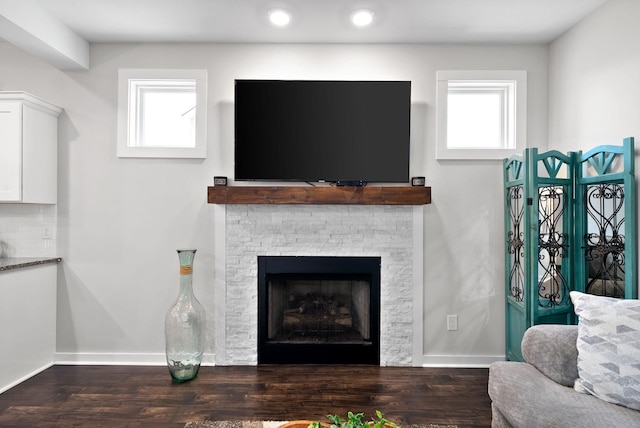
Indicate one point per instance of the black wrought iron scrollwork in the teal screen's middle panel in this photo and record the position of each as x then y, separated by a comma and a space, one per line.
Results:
553, 247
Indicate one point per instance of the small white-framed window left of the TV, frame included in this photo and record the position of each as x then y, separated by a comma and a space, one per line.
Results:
162, 113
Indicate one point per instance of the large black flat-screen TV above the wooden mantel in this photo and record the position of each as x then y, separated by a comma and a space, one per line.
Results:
318, 131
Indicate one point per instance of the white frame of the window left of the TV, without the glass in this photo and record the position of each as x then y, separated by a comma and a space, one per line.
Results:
130, 83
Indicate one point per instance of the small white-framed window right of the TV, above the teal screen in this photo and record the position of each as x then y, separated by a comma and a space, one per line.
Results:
481, 114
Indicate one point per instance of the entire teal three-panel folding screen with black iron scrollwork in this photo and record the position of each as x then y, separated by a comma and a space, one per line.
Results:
569, 225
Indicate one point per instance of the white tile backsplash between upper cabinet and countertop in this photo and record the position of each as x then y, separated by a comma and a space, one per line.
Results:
28, 230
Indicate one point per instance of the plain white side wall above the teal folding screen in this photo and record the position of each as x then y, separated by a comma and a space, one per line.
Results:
594, 80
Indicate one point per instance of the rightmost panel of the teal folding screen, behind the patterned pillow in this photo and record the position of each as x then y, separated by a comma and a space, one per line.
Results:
606, 203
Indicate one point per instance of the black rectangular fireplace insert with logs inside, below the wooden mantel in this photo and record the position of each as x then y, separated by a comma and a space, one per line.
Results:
317, 309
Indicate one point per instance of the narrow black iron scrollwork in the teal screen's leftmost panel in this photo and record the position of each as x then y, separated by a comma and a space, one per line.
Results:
515, 241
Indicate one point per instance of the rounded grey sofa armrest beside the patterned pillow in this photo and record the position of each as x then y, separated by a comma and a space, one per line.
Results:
551, 349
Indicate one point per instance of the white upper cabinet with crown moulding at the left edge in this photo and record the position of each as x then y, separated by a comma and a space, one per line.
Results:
28, 149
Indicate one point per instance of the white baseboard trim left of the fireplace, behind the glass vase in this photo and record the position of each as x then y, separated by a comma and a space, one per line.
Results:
122, 359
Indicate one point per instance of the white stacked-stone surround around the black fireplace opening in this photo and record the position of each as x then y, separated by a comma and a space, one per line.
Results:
394, 233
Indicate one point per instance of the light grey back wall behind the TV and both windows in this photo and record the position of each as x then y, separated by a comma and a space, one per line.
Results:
120, 220
